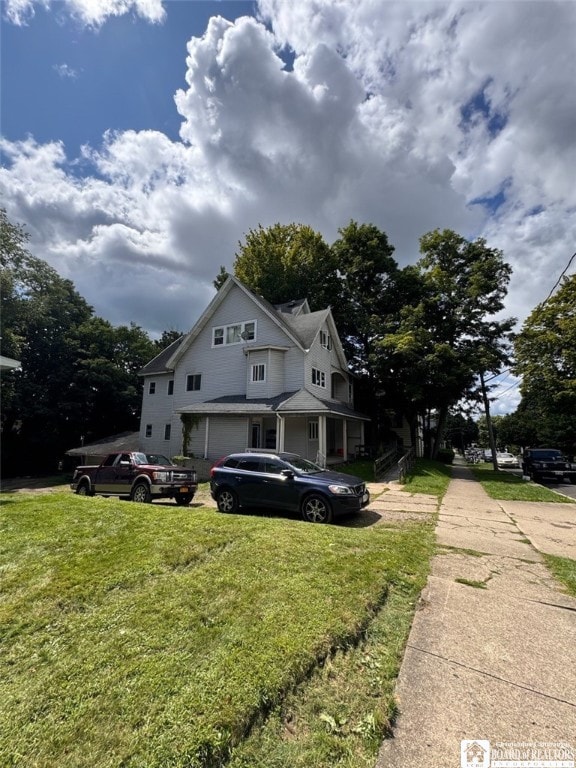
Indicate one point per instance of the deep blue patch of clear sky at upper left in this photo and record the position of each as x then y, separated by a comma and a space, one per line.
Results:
64, 81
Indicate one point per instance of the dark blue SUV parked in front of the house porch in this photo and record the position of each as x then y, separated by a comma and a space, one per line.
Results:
285, 481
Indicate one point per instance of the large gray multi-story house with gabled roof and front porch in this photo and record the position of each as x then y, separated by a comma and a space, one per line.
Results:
252, 375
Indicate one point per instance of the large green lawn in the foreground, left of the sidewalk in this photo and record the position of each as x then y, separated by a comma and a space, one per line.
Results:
155, 636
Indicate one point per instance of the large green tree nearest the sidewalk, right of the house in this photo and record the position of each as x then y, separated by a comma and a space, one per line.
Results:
449, 336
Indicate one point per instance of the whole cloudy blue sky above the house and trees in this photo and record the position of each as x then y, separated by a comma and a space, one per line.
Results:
141, 140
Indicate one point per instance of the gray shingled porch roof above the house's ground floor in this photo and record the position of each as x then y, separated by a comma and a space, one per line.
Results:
296, 403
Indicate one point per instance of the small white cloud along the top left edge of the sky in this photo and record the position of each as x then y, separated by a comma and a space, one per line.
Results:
92, 13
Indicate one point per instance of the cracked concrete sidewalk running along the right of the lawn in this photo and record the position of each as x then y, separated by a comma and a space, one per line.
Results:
492, 651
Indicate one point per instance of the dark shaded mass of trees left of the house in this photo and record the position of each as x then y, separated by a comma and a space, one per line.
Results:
78, 374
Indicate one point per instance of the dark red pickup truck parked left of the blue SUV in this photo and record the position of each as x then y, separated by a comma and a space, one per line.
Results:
139, 476
